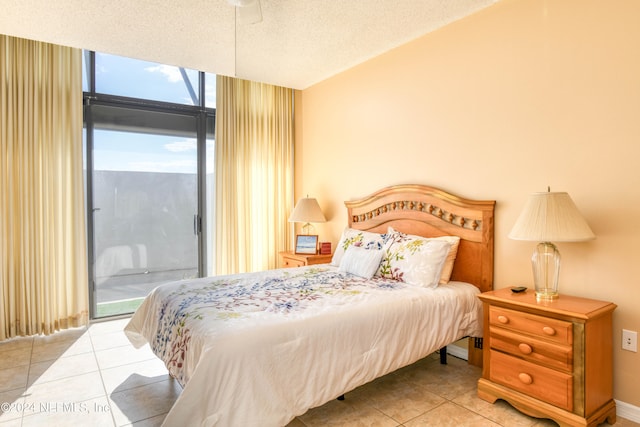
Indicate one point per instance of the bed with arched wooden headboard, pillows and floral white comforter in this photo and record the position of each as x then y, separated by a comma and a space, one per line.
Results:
259, 349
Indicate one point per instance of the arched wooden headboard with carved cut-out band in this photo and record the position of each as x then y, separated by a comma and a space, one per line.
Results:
430, 212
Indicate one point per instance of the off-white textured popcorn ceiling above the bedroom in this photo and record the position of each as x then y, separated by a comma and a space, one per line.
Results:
297, 44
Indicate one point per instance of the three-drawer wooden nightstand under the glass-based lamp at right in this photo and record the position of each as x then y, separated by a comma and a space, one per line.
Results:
549, 359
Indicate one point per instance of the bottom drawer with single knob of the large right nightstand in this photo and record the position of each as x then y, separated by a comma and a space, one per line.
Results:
545, 384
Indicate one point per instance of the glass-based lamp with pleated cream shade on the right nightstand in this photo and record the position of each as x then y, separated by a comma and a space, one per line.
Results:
549, 217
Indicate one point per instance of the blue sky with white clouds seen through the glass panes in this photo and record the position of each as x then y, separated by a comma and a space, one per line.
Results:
123, 151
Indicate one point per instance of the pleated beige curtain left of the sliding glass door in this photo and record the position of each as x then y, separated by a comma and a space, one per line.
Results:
43, 274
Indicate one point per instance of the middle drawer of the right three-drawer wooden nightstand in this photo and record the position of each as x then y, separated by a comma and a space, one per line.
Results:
550, 354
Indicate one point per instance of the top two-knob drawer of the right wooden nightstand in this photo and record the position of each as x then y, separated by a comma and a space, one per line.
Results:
543, 327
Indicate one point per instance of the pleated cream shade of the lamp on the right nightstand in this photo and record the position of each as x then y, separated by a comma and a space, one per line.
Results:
551, 217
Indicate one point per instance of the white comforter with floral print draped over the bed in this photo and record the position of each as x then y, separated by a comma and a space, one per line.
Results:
260, 349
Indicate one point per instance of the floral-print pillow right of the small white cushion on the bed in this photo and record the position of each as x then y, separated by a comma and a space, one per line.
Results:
414, 260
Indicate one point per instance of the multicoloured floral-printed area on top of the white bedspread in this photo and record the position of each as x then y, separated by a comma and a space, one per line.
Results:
232, 299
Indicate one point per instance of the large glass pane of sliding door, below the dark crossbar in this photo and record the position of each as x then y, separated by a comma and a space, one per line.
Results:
145, 222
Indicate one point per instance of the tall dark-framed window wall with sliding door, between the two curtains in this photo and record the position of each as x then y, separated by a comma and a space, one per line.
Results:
149, 138
